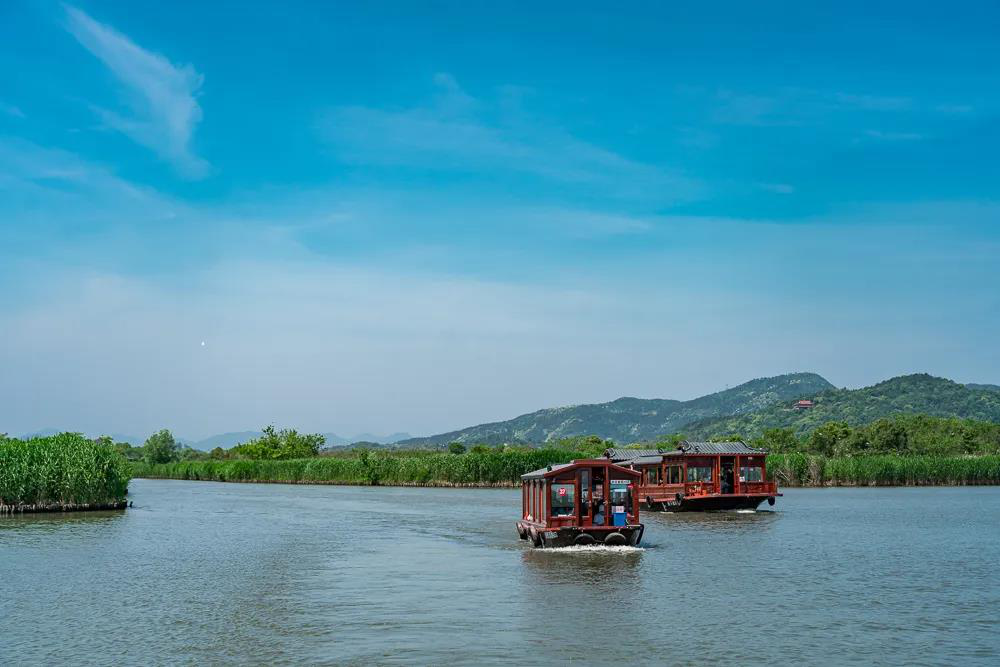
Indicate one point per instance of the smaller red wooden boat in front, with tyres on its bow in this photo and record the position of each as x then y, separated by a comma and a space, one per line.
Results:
591, 501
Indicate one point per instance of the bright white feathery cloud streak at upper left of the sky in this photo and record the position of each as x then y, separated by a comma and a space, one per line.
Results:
161, 95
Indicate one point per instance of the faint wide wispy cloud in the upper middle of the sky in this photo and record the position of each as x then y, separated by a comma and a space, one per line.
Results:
459, 132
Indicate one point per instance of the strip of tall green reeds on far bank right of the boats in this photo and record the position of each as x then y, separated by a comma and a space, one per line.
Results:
882, 470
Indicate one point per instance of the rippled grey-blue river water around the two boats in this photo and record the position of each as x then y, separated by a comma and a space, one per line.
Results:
207, 573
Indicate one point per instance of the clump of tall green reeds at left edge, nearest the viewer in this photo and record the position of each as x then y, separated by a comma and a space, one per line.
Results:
65, 469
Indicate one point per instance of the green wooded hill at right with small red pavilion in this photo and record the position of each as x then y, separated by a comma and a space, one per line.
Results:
907, 394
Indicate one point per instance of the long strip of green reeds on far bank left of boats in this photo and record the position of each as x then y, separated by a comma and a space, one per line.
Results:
493, 468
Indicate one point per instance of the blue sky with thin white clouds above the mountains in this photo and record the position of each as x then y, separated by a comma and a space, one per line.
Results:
388, 216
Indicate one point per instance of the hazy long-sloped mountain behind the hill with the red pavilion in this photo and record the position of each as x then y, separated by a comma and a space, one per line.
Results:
633, 419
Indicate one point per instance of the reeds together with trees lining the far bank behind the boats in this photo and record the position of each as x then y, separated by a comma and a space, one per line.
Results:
902, 450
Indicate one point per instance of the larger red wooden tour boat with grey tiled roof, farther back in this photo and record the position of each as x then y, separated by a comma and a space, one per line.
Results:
700, 476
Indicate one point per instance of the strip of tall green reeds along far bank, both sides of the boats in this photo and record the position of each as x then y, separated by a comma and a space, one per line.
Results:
505, 469
